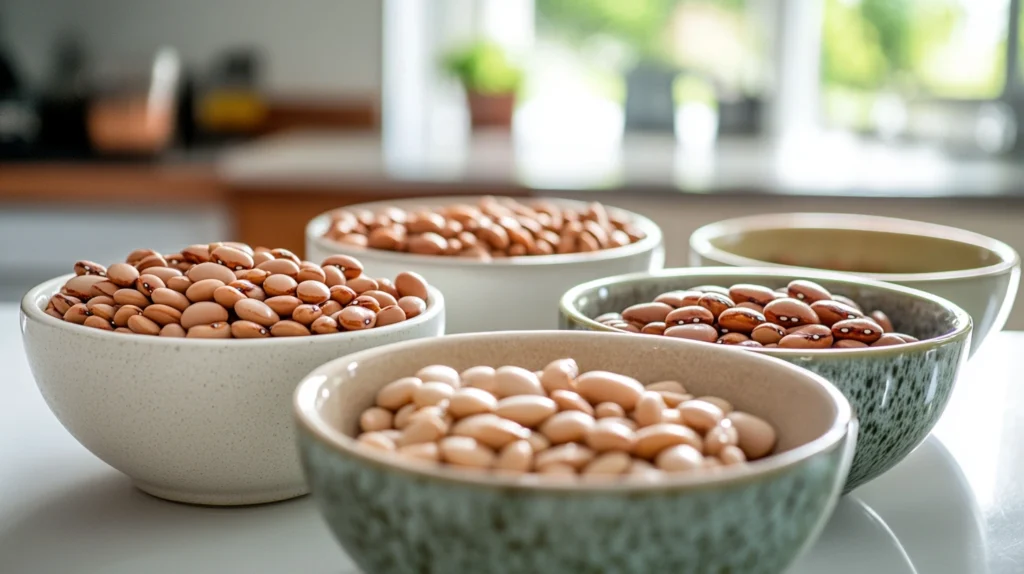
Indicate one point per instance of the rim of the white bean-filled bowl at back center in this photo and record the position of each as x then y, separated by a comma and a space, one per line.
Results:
317, 226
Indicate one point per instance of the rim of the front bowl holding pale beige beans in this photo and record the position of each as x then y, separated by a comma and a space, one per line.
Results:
310, 422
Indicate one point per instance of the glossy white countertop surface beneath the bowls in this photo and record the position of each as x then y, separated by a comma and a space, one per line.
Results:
955, 507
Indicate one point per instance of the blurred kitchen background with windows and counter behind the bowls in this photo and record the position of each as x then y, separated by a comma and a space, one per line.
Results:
148, 123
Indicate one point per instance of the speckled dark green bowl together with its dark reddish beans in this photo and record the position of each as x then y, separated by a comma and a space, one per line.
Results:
894, 351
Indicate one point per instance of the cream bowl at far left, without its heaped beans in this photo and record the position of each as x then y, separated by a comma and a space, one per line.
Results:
205, 422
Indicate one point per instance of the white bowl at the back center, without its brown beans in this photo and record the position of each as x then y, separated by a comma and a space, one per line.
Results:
517, 293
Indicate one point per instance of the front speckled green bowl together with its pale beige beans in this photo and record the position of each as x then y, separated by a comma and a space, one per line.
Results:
549, 452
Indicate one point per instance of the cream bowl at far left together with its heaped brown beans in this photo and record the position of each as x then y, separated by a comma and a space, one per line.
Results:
177, 369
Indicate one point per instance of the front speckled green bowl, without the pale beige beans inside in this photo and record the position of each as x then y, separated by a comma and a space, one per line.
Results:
403, 519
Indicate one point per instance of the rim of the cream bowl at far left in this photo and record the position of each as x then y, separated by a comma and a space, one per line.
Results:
32, 312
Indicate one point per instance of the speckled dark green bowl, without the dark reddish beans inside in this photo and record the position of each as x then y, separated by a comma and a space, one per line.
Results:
899, 393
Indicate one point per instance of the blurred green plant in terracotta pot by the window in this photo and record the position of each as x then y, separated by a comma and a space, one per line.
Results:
491, 81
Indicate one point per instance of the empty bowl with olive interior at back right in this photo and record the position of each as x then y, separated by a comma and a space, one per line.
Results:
978, 274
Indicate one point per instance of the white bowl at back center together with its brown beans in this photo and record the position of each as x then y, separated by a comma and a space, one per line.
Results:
483, 252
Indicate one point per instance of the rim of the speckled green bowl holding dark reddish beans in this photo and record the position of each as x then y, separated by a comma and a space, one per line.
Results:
962, 321
